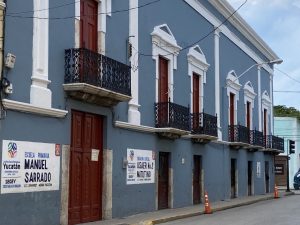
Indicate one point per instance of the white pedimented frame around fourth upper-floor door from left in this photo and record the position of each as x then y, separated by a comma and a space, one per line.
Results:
233, 86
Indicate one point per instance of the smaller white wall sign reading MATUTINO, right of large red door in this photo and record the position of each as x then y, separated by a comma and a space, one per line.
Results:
140, 167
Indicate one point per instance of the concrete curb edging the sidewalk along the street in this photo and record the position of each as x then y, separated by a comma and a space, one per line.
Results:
214, 209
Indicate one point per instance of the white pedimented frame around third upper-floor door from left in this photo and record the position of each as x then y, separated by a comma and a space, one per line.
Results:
198, 65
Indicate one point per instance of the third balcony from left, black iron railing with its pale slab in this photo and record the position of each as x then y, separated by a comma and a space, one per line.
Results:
204, 127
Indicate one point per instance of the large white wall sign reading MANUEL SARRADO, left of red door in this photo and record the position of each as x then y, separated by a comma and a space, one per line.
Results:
29, 167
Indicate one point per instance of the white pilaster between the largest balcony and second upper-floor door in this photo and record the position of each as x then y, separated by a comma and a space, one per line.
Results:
134, 115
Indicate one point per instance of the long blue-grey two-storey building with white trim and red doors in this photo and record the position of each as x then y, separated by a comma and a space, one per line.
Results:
114, 114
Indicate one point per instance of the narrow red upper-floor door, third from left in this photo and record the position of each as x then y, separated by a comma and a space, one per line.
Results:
196, 116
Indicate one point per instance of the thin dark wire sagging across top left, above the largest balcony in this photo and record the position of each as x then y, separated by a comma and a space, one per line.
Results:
71, 17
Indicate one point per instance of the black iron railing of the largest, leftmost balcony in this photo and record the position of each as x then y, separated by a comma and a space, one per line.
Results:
85, 66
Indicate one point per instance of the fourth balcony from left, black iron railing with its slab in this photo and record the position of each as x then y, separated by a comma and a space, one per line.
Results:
239, 136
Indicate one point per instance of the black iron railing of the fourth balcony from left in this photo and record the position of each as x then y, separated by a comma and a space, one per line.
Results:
238, 133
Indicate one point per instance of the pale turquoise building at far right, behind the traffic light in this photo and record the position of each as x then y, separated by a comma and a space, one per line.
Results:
289, 128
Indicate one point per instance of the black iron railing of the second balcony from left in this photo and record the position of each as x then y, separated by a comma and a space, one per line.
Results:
169, 114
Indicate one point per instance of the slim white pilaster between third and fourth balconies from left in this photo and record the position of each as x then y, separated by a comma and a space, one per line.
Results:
217, 82
